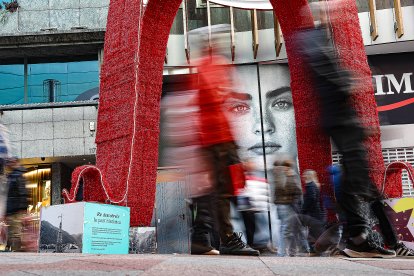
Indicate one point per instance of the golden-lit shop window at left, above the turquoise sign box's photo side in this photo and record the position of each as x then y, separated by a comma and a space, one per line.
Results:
38, 183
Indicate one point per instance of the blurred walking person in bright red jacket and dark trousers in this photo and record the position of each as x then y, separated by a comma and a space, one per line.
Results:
213, 83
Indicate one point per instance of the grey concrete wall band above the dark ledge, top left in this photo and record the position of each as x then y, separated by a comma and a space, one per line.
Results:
36, 16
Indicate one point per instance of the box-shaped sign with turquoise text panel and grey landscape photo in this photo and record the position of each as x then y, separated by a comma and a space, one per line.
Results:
84, 227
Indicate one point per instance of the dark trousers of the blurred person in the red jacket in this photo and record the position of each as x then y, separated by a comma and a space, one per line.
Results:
222, 156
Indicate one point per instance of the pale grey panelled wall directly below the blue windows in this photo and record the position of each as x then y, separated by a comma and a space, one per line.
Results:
51, 132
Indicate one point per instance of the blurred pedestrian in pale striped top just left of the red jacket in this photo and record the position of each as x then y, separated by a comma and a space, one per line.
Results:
186, 152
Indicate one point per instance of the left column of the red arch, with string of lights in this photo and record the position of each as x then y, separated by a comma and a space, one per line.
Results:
128, 117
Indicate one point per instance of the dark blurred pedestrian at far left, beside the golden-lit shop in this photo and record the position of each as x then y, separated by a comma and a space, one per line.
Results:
16, 204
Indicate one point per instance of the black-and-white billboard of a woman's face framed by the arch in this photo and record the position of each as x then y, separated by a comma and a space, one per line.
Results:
261, 113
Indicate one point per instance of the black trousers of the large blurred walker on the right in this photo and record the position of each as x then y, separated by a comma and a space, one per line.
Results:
356, 183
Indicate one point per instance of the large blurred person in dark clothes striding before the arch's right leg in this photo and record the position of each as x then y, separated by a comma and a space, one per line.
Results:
332, 85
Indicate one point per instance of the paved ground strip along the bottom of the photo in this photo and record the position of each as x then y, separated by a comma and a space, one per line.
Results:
182, 265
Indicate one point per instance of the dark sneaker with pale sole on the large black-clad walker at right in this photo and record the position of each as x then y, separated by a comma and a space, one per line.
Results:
367, 249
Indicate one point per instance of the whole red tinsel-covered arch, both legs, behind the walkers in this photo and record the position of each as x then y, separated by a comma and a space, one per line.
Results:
131, 80
